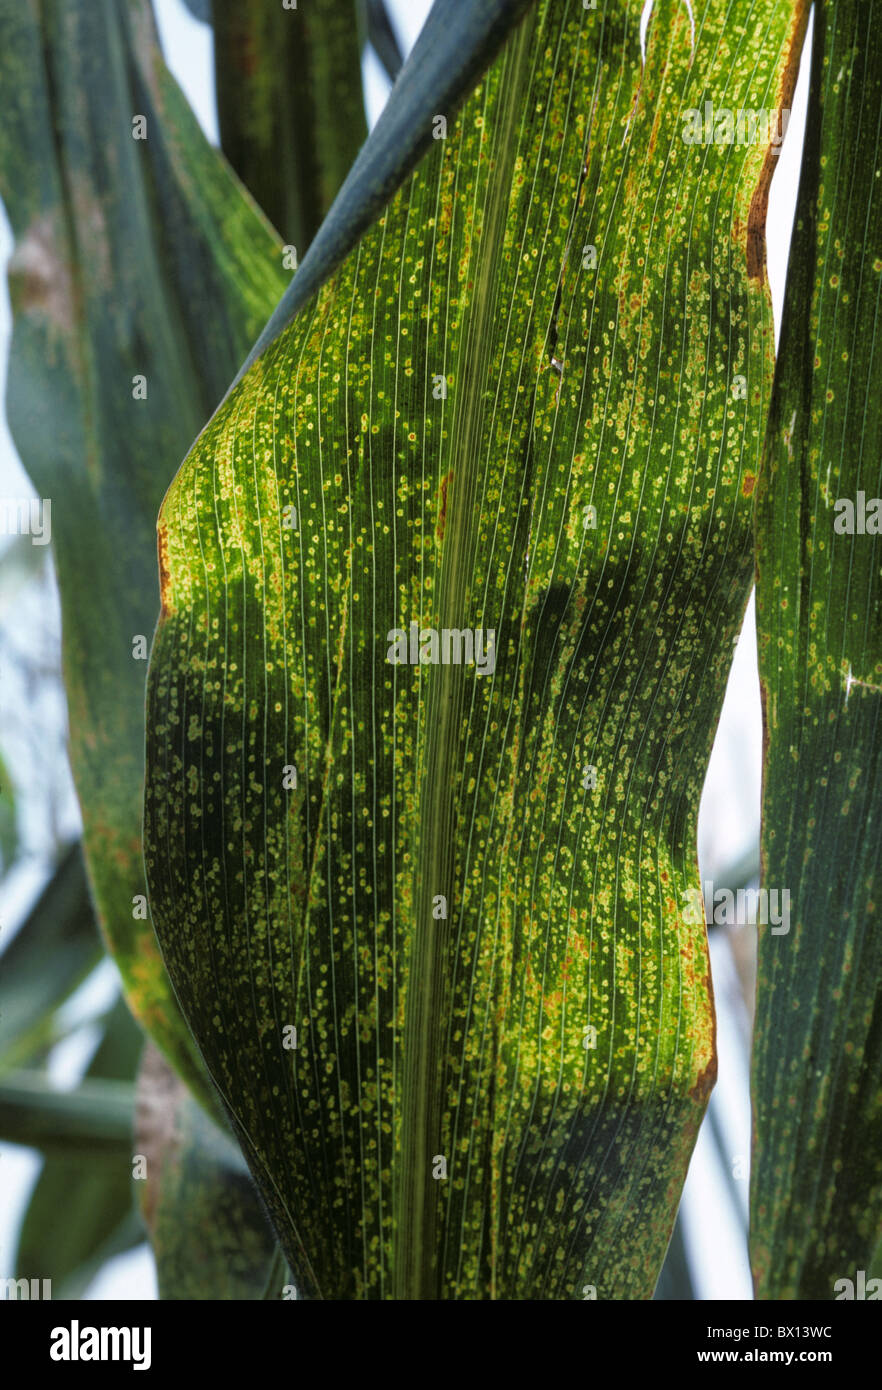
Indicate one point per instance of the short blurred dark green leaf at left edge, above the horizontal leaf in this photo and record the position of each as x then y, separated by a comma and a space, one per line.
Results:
49, 957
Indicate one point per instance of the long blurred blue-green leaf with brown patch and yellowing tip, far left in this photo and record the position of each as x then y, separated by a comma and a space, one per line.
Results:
141, 275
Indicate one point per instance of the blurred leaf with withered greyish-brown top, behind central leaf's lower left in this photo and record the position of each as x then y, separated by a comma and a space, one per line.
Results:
209, 1229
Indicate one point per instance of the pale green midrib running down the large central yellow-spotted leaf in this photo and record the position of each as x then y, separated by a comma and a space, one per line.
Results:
416, 1271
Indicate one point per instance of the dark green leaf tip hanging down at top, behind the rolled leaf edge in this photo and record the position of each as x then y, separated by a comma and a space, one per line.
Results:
290, 105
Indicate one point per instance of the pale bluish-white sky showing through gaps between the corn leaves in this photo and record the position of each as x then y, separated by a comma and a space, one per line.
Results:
729, 828
